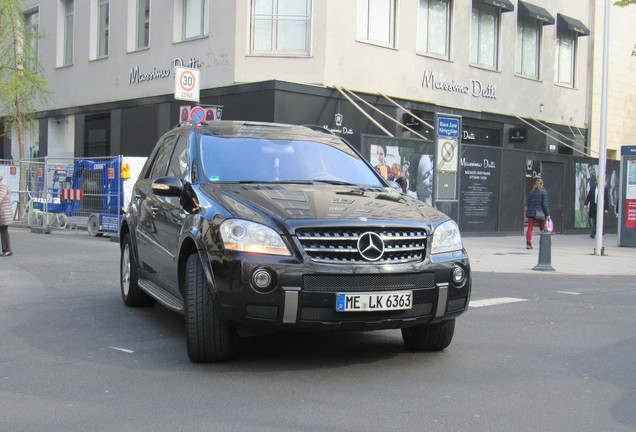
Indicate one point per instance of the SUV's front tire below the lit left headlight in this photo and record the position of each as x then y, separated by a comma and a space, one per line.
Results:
208, 338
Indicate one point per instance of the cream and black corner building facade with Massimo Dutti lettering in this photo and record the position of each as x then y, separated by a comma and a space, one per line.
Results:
514, 75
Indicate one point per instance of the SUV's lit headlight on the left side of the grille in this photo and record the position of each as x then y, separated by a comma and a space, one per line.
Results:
246, 236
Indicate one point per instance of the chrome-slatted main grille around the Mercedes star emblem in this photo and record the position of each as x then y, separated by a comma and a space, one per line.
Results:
340, 245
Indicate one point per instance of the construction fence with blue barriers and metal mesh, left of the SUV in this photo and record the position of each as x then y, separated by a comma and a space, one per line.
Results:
71, 193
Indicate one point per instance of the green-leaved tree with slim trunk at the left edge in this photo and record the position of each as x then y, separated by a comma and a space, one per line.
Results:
22, 78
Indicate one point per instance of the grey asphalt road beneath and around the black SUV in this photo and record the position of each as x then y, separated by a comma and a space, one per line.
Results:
535, 352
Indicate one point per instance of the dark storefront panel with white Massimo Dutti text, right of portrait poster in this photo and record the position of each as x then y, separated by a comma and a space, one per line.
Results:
479, 198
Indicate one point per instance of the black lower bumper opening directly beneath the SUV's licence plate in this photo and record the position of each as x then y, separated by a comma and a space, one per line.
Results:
329, 314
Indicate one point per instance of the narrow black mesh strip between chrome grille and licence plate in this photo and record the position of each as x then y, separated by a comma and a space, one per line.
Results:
368, 282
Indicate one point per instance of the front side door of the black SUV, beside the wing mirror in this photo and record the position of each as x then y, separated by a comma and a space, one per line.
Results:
168, 220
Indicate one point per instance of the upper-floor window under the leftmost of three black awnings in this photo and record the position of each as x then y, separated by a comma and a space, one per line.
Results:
484, 37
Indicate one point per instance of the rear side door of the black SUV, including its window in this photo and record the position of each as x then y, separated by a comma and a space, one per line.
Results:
147, 207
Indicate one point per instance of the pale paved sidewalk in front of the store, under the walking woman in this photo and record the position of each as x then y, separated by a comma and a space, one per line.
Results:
570, 254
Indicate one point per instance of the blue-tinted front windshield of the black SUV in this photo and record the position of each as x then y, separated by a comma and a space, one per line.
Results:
265, 160
